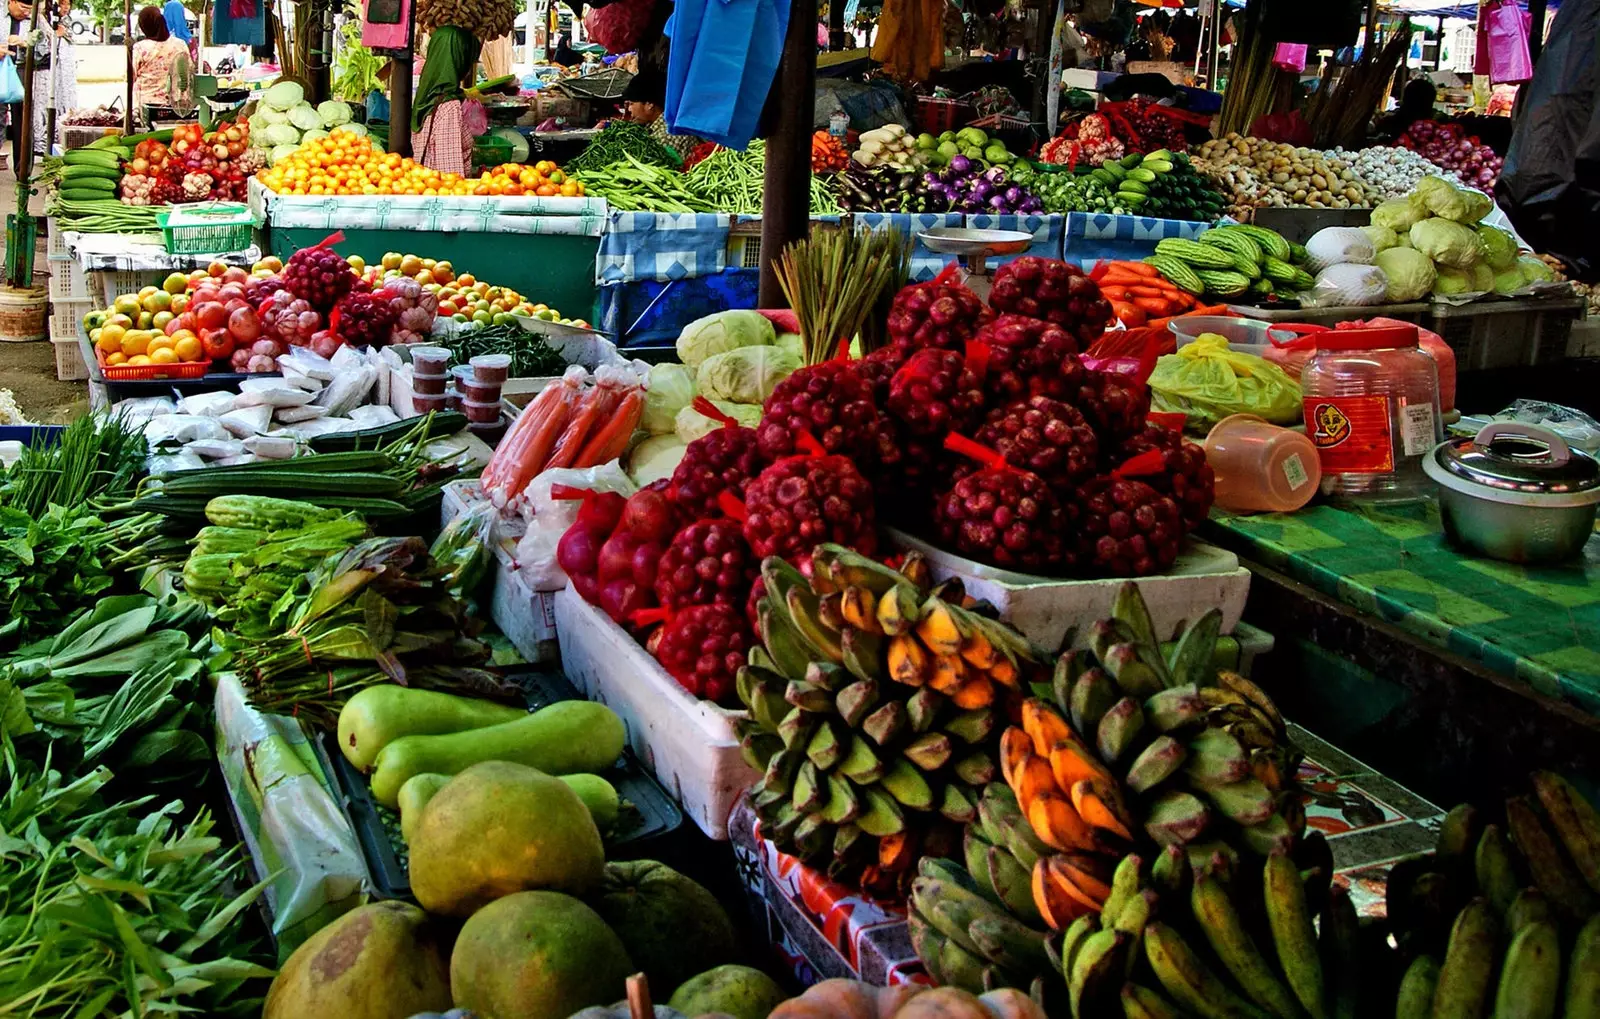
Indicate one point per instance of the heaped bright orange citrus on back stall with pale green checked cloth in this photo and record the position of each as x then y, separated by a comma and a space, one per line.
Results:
348, 164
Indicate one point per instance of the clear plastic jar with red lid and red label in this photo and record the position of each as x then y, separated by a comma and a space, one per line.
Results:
1372, 410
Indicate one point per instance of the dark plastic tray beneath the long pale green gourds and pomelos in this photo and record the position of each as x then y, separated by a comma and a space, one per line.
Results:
655, 813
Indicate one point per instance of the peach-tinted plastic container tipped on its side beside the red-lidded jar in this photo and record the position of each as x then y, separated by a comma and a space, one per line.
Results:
1260, 466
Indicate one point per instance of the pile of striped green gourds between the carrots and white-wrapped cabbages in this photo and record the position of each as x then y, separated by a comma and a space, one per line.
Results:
1236, 265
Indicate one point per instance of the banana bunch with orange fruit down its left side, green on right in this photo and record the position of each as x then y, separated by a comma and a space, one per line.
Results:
1146, 745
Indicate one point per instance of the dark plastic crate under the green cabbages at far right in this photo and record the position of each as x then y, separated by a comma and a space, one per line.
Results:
1508, 334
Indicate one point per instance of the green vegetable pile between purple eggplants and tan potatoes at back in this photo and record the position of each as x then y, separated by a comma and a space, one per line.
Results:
1161, 185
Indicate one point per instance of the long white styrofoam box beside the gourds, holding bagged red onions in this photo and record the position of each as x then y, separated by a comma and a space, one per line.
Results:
689, 745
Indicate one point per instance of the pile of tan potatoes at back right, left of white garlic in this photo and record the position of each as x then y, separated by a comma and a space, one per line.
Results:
1260, 174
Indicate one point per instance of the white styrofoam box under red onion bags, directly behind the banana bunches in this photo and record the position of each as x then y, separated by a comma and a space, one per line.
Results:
1046, 610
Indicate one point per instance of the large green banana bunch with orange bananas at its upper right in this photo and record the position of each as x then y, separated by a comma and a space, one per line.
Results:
868, 767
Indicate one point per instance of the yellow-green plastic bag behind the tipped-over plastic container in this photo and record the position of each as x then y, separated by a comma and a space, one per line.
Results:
1207, 382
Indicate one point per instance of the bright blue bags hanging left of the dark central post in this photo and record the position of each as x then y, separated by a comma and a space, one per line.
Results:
721, 66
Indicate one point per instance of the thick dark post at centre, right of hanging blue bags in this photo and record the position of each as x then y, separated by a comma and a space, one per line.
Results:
786, 199
